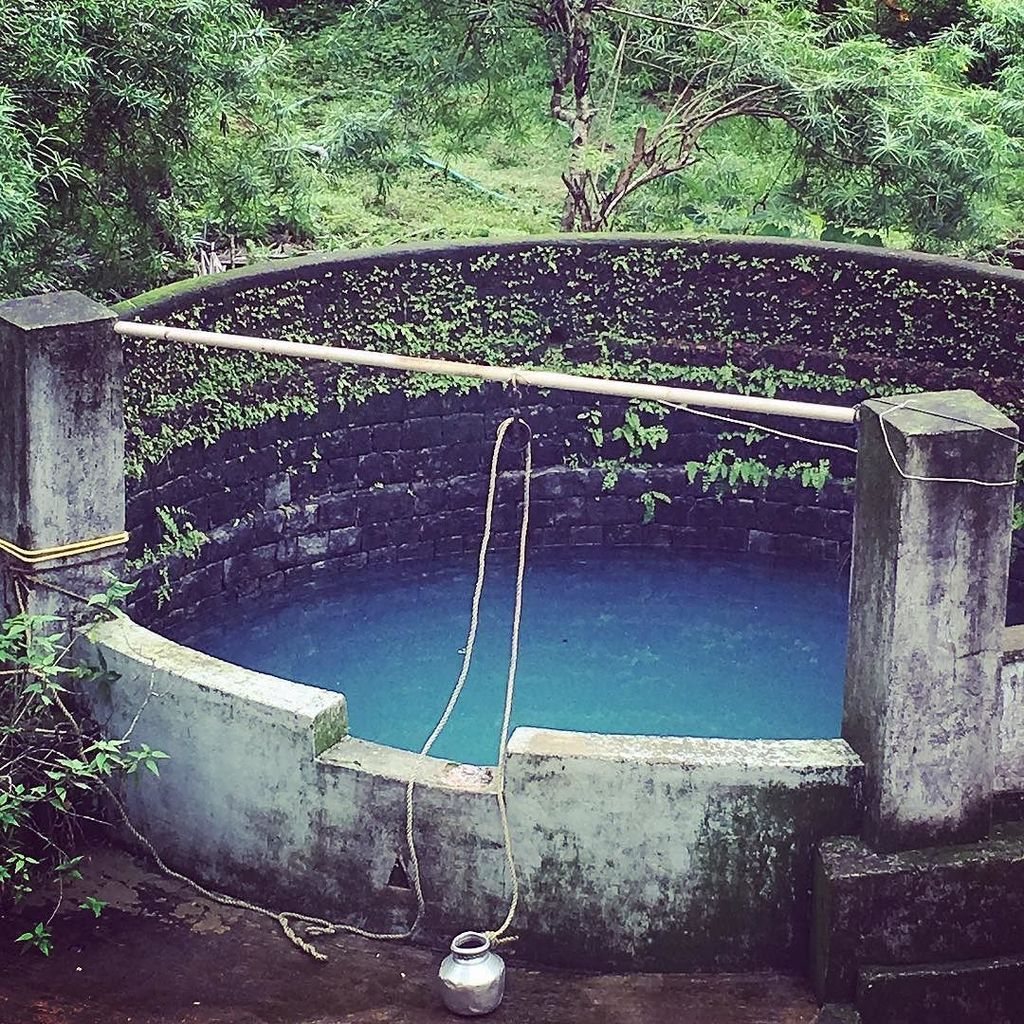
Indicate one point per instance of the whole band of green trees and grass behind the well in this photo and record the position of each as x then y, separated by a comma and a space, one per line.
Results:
133, 136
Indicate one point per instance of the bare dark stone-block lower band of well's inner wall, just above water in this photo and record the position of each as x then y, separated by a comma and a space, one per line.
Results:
406, 479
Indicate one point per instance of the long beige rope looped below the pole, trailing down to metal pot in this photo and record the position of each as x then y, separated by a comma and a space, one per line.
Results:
320, 926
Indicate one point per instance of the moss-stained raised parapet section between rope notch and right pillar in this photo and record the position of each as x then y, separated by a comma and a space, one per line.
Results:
673, 852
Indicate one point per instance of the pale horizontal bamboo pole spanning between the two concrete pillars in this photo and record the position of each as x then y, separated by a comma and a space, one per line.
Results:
505, 375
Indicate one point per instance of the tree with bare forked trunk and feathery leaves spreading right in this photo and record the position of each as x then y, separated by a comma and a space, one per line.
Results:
883, 136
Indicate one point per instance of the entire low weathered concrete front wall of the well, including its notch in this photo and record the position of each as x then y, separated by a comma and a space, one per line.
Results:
647, 854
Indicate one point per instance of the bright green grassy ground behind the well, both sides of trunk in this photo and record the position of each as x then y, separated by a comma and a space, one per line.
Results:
338, 73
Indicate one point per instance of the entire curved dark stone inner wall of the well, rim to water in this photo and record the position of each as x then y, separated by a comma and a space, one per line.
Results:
846, 313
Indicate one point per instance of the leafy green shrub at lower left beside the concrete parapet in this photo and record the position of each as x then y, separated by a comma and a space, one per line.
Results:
57, 767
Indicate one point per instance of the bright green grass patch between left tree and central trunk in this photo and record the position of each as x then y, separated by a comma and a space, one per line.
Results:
336, 76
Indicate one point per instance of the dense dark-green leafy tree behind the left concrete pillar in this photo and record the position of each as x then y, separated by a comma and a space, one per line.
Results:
114, 117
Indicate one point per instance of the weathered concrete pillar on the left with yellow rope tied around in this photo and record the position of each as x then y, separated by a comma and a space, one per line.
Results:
62, 442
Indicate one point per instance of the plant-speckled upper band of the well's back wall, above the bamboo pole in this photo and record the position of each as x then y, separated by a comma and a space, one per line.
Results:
848, 302
